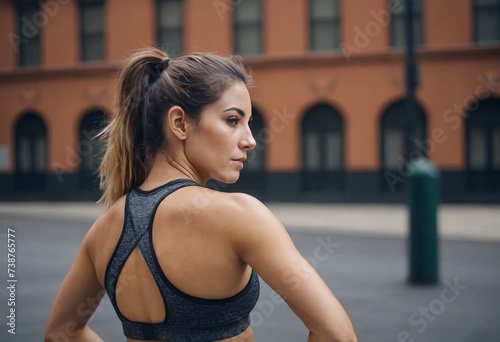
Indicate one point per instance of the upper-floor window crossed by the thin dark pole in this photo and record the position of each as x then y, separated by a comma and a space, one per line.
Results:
398, 22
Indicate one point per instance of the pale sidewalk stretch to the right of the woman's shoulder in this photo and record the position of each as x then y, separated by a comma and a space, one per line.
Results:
455, 222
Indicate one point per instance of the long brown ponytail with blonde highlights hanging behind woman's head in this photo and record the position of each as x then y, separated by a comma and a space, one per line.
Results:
126, 163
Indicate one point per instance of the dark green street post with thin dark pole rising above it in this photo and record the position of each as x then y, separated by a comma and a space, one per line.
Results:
423, 182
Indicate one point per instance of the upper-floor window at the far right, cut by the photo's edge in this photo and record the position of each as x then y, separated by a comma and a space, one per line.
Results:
487, 21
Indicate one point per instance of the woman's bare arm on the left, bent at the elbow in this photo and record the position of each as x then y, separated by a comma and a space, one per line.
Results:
78, 297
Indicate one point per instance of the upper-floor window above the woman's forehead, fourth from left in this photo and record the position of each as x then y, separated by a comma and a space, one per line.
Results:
247, 16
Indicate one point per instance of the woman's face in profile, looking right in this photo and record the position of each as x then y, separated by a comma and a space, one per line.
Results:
217, 145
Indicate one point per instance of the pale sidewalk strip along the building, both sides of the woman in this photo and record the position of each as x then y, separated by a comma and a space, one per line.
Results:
456, 222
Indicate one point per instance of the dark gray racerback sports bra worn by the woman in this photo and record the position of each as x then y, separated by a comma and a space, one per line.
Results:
188, 318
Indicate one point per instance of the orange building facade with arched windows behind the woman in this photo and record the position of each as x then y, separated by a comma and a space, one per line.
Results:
328, 101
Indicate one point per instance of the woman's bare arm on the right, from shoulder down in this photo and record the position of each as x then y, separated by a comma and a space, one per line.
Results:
264, 244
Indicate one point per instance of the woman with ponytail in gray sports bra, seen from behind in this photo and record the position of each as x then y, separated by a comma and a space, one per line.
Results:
180, 261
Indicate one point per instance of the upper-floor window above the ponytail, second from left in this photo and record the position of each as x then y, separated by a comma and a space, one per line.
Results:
92, 30
